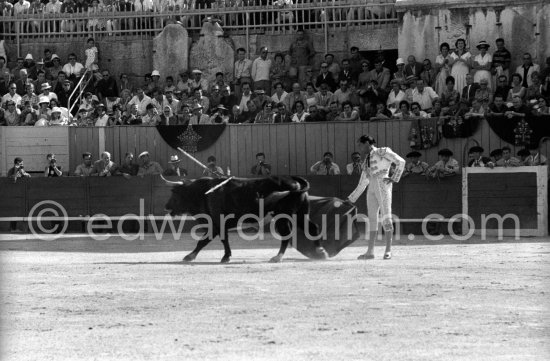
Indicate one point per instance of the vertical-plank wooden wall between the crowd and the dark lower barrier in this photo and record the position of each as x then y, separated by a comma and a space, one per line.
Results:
289, 148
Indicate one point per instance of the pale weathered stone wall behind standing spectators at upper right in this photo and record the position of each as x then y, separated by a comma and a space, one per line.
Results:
524, 28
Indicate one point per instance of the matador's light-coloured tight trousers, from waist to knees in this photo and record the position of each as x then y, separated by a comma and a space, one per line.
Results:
379, 197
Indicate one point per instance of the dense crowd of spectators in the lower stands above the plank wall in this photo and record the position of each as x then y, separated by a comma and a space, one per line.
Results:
276, 89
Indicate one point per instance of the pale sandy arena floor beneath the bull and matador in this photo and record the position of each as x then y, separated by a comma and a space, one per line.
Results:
79, 299
